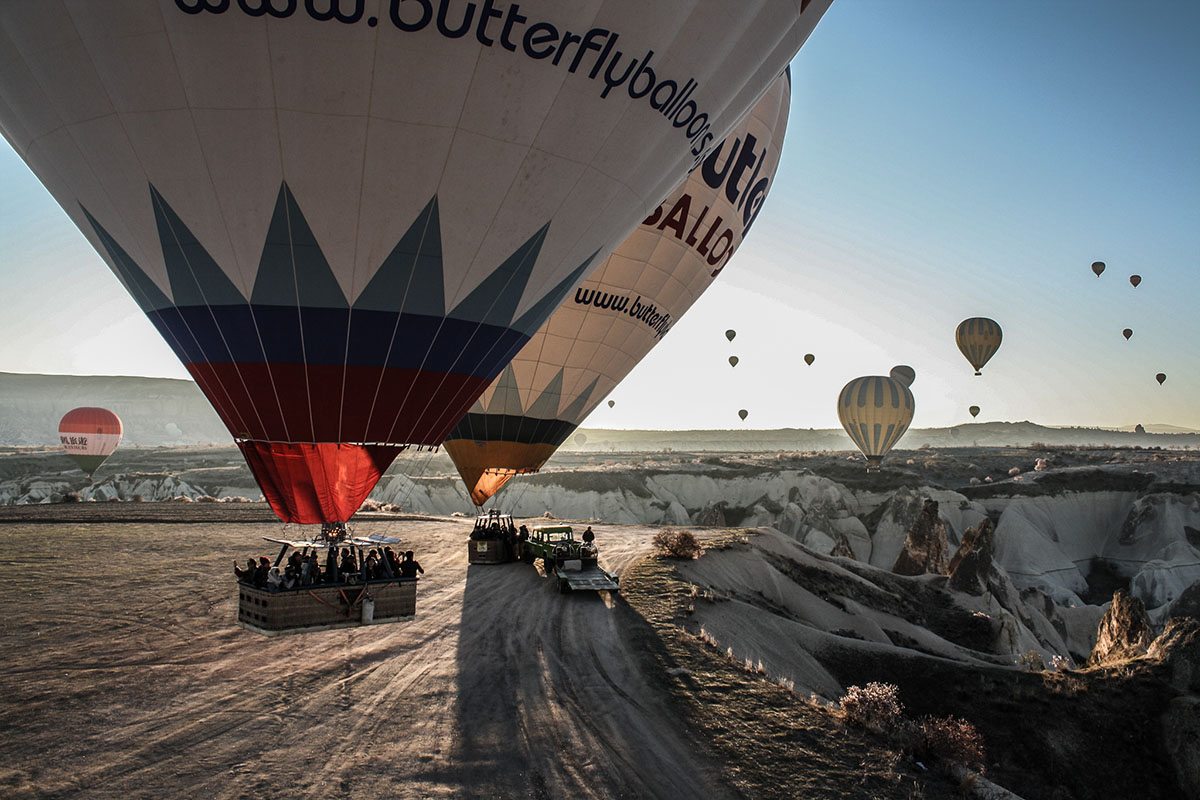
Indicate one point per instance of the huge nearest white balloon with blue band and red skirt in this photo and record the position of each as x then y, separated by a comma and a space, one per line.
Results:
346, 225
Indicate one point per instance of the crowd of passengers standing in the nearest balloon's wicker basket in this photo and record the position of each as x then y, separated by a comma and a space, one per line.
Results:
304, 569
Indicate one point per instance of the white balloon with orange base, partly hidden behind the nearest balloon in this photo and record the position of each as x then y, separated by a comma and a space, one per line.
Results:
623, 310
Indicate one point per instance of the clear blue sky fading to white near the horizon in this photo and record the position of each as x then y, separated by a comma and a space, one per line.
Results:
945, 159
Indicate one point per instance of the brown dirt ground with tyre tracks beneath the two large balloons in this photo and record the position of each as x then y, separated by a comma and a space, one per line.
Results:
125, 677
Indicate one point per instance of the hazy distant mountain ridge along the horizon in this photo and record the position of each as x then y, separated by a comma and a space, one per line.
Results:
160, 412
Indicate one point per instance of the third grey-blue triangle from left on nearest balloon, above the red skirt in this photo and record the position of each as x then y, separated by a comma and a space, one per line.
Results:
293, 270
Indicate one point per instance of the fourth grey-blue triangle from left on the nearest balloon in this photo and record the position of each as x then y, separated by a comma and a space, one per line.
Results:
412, 278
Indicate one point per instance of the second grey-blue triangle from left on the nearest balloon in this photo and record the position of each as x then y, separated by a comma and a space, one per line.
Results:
196, 280
